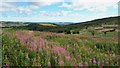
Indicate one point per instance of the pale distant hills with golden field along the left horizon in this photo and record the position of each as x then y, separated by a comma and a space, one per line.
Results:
14, 24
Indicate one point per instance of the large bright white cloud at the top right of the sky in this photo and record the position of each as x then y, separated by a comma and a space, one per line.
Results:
93, 5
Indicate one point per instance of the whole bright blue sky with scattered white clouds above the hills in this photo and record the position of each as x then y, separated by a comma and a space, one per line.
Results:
57, 10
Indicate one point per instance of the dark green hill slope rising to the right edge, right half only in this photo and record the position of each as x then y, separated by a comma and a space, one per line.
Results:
97, 22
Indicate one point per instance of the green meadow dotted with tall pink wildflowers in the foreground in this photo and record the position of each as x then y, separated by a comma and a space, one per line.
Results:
35, 48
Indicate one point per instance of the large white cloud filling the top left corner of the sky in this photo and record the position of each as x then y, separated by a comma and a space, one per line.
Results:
6, 5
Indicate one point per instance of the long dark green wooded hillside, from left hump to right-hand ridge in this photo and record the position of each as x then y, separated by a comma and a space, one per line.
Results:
76, 26
